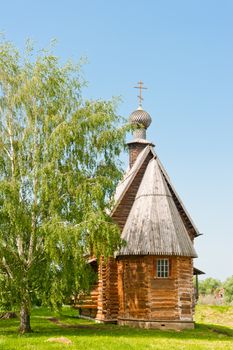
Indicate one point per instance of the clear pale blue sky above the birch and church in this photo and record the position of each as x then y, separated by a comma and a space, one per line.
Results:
183, 51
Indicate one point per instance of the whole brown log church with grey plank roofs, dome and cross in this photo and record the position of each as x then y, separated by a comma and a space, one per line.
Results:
149, 282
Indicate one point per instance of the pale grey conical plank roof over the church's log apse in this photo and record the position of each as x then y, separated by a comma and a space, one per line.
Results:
154, 225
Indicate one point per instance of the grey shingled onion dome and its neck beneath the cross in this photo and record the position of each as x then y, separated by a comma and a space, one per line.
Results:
143, 120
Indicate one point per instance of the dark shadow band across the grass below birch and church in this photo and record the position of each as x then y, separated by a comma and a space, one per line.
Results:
43, 327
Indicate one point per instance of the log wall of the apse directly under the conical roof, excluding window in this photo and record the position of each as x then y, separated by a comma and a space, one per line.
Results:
148, 299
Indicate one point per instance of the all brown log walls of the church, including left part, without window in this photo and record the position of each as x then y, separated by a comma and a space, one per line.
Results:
129, 292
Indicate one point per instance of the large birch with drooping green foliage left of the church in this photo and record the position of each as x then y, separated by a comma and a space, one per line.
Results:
58, 171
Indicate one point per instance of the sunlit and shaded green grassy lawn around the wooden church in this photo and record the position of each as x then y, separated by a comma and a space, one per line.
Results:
87, 335
